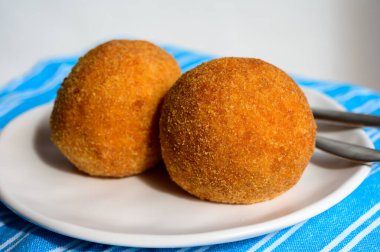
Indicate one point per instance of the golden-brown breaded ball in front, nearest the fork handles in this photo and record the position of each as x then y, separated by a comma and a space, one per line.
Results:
236, 130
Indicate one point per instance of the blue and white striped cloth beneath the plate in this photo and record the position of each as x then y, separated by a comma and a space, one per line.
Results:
358, 230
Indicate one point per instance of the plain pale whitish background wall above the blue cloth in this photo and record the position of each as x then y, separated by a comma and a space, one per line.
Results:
325, 39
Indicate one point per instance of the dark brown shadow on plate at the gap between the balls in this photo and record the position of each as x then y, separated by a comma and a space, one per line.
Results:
158, 179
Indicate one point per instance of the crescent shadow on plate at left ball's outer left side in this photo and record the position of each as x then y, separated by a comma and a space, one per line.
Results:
47, 151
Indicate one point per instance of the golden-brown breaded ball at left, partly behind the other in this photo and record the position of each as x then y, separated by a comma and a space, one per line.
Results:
105, 117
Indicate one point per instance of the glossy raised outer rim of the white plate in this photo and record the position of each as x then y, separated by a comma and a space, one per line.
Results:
191, 239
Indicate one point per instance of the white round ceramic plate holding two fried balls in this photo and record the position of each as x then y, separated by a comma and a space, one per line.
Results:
149, 210
